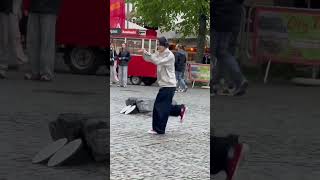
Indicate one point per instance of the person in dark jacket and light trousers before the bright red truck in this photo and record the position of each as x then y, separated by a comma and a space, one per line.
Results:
124, 58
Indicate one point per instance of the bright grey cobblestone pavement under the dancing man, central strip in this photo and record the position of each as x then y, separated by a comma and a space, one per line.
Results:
183, 153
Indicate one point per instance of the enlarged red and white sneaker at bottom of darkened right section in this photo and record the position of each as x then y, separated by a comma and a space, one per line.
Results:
237, 156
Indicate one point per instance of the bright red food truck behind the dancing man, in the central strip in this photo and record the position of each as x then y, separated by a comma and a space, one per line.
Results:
138, 69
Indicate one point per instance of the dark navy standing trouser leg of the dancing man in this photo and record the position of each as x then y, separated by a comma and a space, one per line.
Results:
162, 109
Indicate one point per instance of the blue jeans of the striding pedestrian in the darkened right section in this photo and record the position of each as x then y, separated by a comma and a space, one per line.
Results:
226, 61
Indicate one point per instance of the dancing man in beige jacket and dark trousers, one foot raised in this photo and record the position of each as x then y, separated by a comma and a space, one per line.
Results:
163, 108
